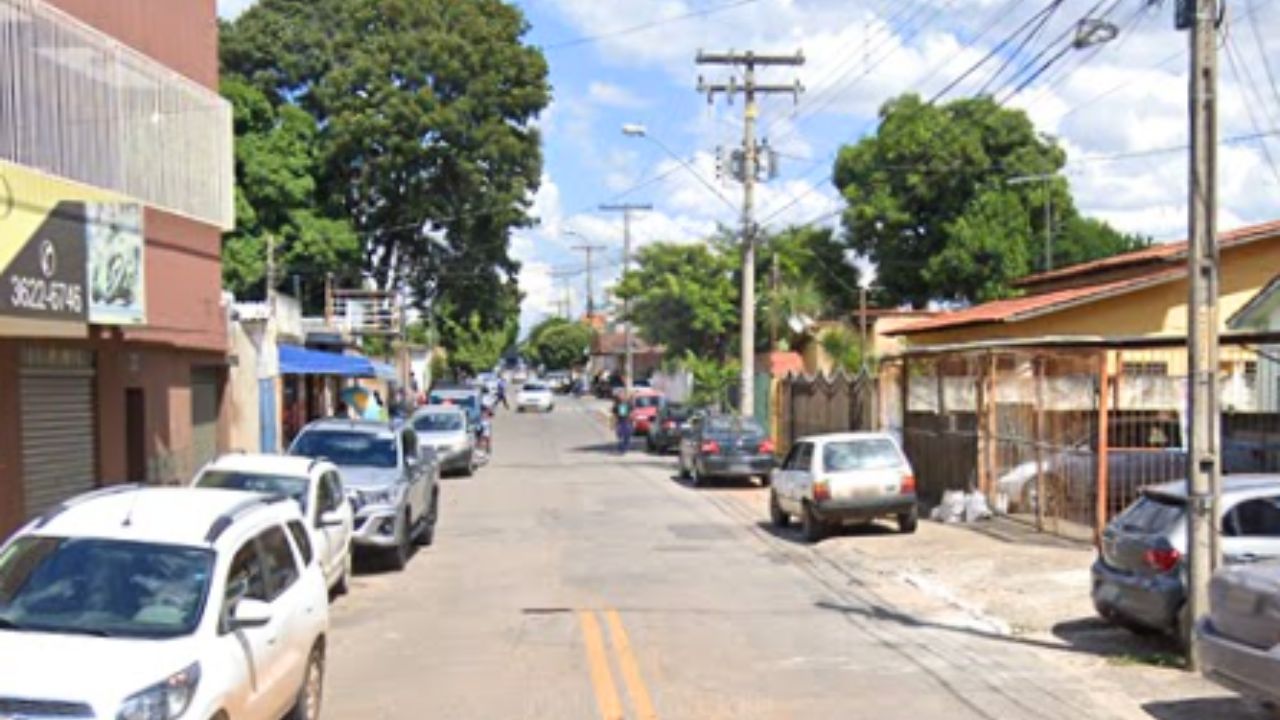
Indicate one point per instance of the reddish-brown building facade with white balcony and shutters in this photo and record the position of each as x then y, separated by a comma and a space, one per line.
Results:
116, 186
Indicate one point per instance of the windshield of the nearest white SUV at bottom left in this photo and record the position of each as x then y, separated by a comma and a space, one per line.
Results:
103, 589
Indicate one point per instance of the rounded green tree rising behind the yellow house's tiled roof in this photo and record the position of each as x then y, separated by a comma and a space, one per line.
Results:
930, 202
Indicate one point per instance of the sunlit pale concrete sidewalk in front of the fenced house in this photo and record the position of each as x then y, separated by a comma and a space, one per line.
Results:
1003, 578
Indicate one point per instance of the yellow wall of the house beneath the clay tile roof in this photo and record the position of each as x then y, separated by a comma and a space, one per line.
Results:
1160, 311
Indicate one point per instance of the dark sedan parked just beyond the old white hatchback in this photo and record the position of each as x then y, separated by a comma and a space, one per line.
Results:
725, 446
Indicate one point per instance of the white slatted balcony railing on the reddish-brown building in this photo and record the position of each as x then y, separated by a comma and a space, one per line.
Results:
77, 104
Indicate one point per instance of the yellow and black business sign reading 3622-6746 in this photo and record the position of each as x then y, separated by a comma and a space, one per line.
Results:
68, 252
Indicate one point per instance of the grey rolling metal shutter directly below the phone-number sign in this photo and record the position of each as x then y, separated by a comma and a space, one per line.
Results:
60, 455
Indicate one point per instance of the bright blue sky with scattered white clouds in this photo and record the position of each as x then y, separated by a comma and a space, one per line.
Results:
1119, 110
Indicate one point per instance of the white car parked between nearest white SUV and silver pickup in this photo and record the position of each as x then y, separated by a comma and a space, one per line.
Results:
316, 485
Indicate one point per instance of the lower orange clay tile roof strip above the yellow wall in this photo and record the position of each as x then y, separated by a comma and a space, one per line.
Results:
1021, 308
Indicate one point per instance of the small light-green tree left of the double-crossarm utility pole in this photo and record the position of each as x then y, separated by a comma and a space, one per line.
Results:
684, 298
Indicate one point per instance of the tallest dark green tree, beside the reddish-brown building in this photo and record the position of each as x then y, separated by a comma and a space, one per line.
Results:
424, 134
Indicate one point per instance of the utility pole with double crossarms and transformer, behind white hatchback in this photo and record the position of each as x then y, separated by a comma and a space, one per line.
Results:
749, 89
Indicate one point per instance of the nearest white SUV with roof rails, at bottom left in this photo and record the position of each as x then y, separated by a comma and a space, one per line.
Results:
157, 604
